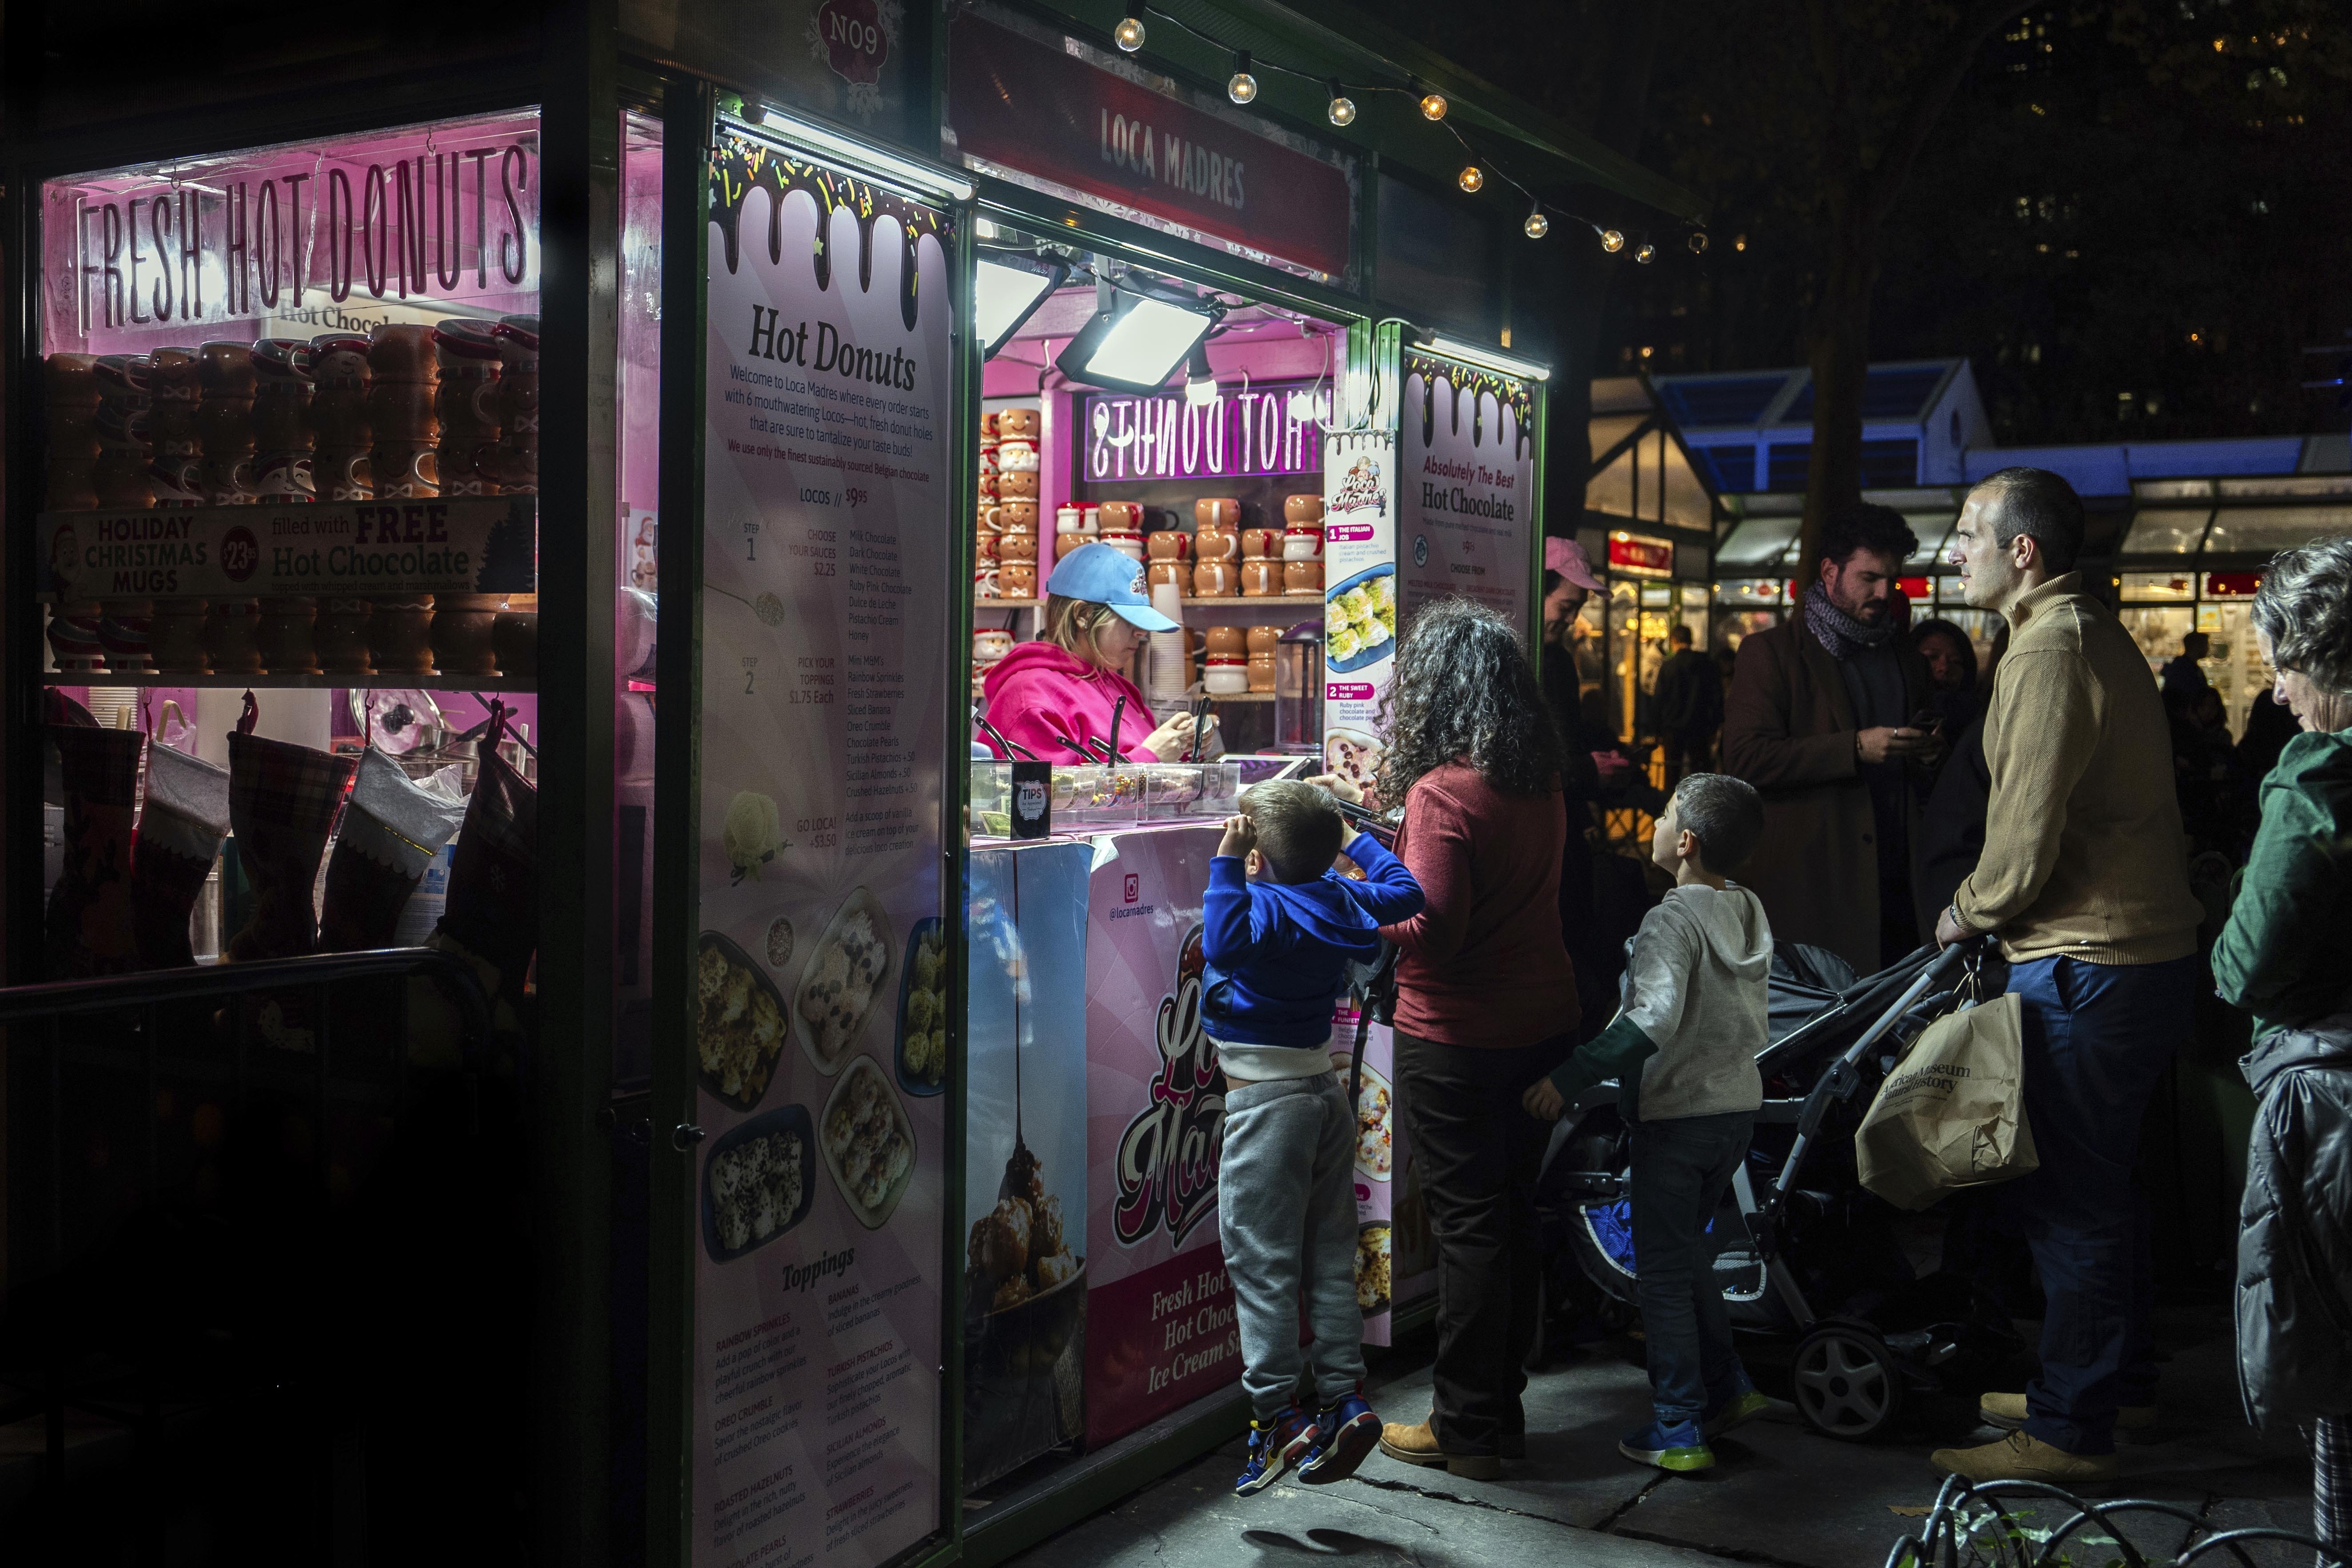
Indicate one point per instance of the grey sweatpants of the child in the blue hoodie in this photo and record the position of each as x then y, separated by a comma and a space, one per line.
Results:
1285, 1207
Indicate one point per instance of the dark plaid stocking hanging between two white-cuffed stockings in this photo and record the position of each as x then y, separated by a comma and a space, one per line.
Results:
281, 800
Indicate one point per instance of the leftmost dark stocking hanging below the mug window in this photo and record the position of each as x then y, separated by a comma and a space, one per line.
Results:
91, 909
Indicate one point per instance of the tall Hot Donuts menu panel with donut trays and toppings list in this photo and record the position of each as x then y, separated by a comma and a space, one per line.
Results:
820, 1184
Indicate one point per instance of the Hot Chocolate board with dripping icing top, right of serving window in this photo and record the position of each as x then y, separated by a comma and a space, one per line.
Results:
1466, 483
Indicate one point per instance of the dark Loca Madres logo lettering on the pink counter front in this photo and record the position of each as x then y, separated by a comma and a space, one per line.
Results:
1168, 1153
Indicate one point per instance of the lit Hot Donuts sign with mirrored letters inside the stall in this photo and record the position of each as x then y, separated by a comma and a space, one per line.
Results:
1271, 429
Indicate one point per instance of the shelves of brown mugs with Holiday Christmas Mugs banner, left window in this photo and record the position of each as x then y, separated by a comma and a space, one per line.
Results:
290, 509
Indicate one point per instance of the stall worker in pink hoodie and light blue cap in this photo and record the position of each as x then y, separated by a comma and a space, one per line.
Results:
1062, 692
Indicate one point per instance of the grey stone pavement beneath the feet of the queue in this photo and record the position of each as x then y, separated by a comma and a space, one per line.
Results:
1779, 1494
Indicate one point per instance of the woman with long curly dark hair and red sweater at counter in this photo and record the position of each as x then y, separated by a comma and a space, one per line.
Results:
1485, 1005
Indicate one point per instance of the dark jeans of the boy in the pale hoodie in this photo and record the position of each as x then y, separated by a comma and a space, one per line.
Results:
1681, 1174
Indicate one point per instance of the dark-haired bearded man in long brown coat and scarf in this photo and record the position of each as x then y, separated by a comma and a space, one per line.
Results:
1822, 725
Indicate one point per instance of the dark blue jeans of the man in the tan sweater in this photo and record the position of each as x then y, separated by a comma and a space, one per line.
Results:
2097, 1043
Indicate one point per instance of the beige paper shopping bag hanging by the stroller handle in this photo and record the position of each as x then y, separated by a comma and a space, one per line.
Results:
1953, 1111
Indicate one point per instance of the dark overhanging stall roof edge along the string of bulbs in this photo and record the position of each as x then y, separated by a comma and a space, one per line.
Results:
1297, 53
